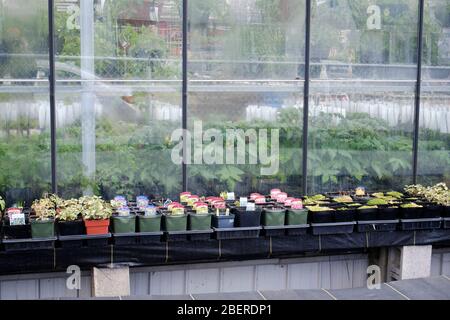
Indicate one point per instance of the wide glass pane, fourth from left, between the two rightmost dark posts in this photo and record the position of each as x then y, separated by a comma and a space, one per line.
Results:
363, 66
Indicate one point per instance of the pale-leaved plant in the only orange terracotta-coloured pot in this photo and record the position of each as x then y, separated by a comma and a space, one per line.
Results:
96, 213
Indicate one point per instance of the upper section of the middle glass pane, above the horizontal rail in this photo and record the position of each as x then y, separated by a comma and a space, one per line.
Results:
246, 39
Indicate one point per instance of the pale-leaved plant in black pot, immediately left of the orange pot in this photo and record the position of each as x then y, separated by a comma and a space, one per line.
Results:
68, 217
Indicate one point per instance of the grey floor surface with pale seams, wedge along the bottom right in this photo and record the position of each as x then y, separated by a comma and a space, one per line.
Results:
434, 288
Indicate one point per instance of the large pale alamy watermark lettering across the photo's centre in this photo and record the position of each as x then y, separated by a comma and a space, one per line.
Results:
213, 146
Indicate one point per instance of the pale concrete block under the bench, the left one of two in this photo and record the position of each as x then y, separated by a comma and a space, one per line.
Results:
111, 282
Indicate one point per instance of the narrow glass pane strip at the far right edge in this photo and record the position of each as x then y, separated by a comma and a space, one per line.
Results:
434, 140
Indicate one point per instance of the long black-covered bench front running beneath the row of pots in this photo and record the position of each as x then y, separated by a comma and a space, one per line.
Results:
161, 249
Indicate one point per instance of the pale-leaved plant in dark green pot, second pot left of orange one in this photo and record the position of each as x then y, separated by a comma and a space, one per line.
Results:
43, 219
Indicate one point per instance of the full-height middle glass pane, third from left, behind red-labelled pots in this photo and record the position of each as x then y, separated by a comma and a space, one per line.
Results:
245, 69
